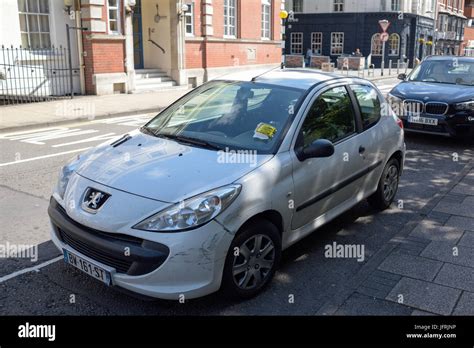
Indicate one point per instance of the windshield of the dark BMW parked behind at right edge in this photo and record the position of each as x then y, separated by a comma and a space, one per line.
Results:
452, 71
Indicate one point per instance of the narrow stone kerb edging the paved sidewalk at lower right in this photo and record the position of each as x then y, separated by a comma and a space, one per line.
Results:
330, 307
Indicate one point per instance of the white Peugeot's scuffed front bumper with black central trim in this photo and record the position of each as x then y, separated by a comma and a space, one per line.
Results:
173, 264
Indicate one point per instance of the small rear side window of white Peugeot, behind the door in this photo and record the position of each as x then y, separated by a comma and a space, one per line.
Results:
369, 104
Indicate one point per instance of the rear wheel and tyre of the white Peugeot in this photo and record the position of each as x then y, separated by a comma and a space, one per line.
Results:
387, 187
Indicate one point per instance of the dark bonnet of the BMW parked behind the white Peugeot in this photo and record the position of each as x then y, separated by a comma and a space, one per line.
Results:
433, 91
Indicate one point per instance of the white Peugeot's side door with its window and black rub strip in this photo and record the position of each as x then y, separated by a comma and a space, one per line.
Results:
322, 184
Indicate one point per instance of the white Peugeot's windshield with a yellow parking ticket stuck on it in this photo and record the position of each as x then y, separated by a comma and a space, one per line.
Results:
230, 115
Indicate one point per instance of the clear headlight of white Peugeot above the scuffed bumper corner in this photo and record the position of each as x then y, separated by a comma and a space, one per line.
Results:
192, 212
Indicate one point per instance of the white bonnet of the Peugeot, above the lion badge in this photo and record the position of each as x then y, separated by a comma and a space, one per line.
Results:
161, 169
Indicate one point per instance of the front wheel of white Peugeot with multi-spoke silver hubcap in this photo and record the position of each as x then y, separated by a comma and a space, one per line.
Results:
248, 273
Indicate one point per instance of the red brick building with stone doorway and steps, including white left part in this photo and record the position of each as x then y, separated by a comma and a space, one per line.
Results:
128, 46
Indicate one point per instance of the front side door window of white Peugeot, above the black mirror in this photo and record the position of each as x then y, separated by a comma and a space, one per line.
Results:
330, 117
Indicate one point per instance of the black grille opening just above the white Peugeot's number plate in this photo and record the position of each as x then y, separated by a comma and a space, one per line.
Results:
120, 265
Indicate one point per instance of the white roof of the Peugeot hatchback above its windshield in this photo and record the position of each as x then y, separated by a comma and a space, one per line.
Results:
302, 79
